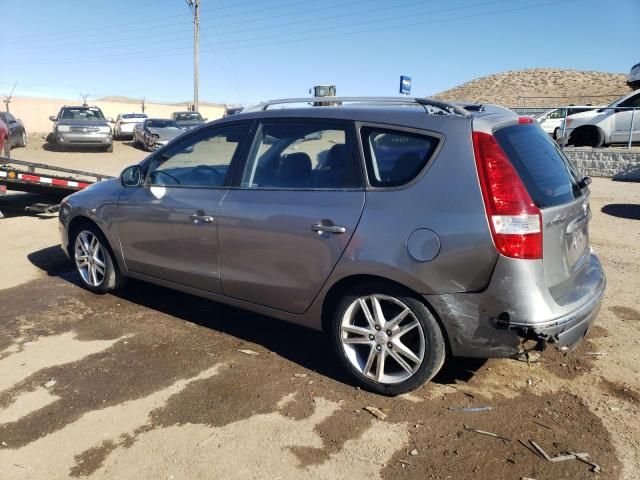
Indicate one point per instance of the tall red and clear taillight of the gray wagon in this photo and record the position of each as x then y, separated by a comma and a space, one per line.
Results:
514, 219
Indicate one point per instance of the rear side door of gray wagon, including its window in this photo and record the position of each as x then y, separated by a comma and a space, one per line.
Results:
294, 208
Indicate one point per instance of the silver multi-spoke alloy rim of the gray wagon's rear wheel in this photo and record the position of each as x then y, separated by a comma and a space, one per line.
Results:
382, 338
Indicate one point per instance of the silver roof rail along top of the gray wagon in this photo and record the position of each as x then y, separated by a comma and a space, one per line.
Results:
426, 103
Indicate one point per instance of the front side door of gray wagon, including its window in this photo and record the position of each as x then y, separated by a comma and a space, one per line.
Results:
168, 225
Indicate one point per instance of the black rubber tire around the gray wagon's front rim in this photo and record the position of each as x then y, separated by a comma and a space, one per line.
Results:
112, 278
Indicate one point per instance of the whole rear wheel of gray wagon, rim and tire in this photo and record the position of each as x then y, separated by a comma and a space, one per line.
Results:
387, 340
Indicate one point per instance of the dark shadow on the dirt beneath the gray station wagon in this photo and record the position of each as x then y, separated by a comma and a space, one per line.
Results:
306, 347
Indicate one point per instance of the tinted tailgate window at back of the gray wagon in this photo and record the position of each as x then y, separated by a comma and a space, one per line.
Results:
544, 169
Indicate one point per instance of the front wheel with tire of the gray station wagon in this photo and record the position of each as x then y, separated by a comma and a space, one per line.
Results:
94, 261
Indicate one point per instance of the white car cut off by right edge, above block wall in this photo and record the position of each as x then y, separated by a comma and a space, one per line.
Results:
605, 126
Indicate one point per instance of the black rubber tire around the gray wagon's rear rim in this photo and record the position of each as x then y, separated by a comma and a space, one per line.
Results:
431, 332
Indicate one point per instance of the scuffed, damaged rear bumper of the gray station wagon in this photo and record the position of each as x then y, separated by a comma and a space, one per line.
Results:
496, 322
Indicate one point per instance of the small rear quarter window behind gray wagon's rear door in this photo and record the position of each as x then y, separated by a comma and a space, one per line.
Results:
395, 157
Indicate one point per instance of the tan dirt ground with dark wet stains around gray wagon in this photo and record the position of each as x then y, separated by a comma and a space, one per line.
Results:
149, 383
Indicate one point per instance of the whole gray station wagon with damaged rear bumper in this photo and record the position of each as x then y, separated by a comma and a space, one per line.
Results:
406, 229
